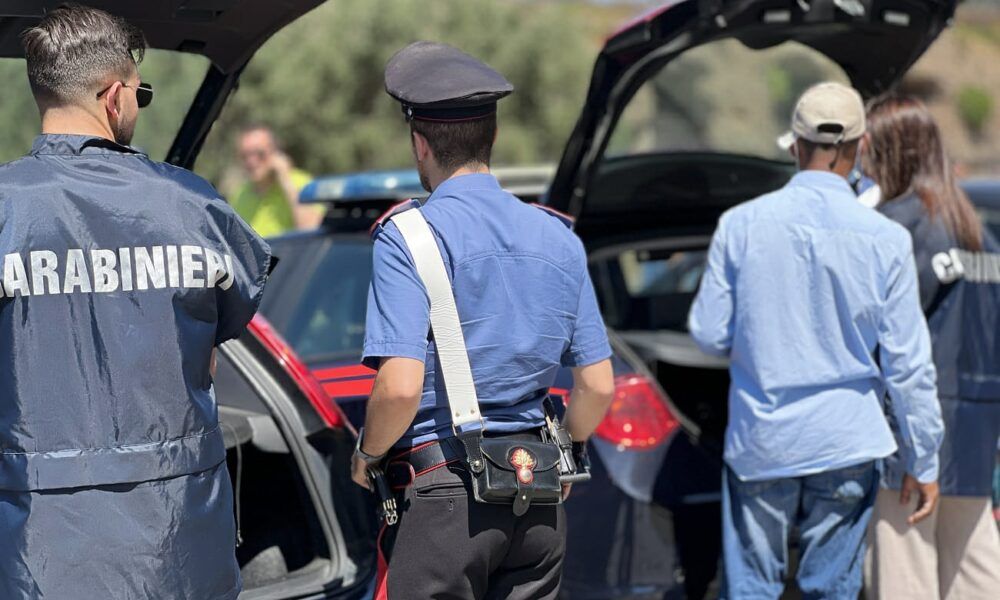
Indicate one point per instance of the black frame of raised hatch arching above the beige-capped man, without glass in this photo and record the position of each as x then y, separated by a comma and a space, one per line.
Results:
873, 41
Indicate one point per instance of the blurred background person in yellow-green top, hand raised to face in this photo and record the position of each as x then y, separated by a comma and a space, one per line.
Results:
269, 200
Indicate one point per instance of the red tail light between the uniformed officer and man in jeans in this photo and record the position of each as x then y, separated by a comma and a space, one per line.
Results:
639, 417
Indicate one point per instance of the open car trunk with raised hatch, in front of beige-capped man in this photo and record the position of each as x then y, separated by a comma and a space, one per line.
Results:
646, 214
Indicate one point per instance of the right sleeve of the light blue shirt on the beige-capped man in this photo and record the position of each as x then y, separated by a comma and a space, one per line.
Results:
908, 369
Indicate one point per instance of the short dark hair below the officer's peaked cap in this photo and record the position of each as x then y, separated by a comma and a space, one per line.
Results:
456, 144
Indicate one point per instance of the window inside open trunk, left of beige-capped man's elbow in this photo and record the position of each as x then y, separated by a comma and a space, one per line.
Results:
649, 289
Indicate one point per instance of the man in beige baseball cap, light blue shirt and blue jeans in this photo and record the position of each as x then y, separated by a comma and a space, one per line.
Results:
814, 299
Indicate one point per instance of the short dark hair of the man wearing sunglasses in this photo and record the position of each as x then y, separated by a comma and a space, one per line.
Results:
75, 48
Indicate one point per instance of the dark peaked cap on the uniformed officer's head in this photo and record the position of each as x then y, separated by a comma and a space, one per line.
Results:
437, 82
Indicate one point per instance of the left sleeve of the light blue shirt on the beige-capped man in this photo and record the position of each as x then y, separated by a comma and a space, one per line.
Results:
711, 318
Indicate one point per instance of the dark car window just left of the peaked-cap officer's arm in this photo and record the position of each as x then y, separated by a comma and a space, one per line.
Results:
328, 321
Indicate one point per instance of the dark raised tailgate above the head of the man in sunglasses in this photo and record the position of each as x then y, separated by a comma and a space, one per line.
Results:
227, 32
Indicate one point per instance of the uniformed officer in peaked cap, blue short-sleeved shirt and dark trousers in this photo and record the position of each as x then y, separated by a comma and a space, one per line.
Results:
527, 307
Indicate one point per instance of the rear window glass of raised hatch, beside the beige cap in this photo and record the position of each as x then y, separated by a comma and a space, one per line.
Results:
699, 101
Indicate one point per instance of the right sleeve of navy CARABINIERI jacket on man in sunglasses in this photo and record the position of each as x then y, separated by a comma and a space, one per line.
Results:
246, 259
